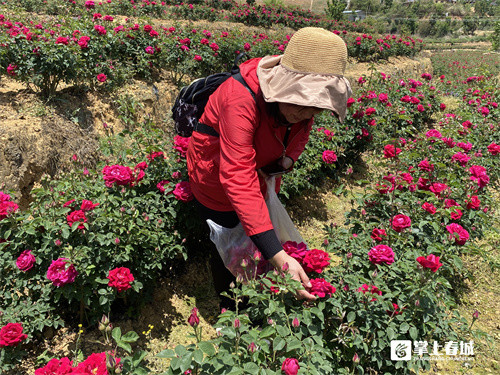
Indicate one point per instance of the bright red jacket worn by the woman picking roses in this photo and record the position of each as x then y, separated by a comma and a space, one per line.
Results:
223, 170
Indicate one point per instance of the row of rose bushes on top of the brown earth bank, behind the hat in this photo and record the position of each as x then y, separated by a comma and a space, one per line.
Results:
99, 51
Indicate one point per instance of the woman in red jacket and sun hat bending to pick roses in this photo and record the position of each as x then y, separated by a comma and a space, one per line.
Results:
261, 124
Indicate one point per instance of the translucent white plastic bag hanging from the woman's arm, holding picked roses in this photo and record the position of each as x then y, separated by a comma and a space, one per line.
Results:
237, 249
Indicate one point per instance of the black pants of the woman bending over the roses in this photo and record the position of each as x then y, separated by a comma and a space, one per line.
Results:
221, 276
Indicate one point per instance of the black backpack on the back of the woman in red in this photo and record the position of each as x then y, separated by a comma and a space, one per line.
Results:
192, 99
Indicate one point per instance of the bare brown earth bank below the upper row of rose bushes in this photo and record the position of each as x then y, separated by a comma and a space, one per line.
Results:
38, 136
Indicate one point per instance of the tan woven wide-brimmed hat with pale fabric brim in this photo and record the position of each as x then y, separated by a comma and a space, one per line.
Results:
310, 73
